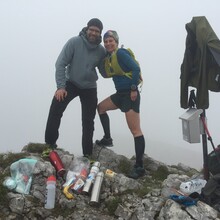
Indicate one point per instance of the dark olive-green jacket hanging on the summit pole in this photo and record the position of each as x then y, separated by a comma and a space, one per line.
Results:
201, 63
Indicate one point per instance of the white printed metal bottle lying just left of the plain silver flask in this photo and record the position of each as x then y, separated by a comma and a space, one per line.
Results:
91, 177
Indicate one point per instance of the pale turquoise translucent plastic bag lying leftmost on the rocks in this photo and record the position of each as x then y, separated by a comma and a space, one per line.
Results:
21, 175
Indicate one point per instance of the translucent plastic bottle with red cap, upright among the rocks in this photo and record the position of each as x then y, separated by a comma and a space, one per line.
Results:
51, 192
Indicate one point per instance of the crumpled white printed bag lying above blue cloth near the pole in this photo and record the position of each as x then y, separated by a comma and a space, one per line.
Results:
194, 185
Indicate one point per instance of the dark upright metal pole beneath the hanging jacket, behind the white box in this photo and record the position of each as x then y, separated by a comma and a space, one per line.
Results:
205, 152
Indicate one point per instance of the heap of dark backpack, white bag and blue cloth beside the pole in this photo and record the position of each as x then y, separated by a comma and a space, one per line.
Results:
198, 189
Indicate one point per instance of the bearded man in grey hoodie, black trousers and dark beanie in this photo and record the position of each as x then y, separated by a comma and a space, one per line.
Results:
76, 76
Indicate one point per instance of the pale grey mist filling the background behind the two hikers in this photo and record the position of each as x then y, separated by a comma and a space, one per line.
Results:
32, 36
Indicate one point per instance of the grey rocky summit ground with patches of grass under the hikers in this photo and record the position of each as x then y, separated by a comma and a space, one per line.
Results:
122, 198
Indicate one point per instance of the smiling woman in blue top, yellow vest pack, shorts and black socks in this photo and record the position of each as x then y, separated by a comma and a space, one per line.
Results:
125, 72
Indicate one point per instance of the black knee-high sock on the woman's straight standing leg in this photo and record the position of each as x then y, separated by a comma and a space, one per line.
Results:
139, 149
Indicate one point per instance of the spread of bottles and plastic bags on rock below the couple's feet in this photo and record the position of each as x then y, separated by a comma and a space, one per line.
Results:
83, 177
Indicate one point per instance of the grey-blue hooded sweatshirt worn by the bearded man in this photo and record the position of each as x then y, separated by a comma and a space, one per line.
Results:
77, 62
